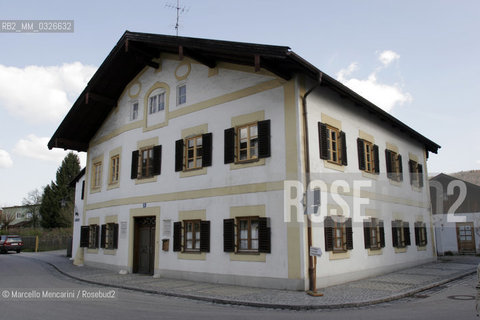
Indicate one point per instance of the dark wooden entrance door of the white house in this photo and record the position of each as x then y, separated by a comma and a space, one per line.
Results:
144, 246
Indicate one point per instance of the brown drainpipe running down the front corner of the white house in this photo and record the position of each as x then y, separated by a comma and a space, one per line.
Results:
312, 269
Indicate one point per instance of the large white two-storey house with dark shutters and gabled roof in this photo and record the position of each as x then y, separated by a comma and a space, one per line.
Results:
197, 154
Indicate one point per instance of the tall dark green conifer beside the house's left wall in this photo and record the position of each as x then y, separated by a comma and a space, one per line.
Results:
58, 197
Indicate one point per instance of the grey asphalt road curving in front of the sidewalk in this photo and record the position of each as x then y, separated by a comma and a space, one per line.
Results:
21, 275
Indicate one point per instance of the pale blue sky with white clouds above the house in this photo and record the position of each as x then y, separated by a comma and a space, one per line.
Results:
418, 60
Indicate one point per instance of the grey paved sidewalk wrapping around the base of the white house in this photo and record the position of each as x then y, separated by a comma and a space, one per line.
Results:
368, 291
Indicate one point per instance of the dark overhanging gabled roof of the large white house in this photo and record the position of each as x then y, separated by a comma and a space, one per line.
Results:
135, 50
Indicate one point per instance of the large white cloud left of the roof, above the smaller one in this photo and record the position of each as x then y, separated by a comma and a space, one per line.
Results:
42, 94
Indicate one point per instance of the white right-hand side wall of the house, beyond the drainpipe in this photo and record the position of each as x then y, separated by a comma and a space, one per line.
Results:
392, 205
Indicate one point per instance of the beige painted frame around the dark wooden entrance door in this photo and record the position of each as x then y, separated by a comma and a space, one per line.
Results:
144, 212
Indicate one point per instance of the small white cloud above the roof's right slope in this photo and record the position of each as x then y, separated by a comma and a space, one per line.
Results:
385, 96
